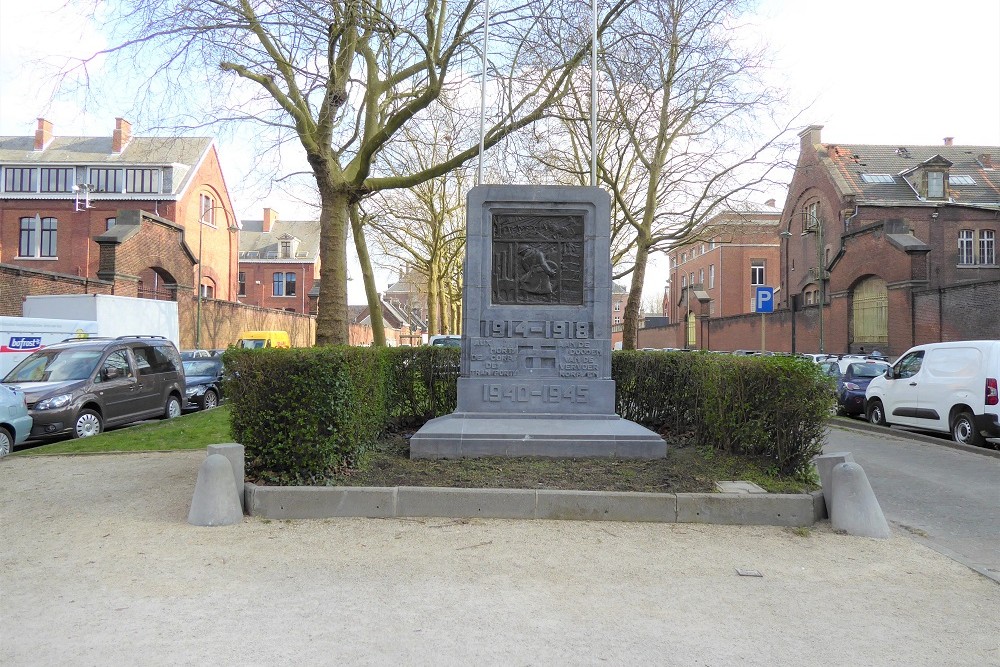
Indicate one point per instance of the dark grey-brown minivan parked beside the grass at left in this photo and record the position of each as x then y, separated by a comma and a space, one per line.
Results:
83, 385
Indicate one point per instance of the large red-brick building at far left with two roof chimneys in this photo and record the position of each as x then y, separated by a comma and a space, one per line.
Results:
59, 194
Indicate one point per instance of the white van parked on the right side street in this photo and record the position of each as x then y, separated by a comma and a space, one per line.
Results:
947, 387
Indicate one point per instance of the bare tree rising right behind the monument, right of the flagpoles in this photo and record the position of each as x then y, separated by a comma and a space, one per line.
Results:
688, 127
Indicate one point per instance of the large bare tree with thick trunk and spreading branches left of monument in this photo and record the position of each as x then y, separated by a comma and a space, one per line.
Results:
344, 78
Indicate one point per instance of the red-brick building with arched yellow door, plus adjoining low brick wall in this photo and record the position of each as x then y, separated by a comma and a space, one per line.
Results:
881, 247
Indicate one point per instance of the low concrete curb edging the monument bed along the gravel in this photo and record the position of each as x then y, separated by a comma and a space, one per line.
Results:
320, 502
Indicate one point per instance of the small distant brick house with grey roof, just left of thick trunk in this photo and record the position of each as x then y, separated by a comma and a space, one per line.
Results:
279, 263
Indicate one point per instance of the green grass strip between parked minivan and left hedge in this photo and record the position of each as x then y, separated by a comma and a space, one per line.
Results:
196, 430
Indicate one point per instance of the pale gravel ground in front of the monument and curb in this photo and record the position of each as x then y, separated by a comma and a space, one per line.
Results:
98, 566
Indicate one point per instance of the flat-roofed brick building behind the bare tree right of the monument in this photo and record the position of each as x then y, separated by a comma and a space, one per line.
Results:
714, 271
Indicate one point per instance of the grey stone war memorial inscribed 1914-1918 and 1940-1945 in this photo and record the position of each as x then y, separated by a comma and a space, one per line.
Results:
536, 333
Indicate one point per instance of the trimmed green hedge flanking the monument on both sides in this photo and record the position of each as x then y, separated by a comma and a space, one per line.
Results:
305, 413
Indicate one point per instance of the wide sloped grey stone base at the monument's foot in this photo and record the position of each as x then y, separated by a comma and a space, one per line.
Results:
475, 435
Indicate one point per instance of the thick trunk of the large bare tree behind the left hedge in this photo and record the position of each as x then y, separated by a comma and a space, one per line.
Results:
331, 319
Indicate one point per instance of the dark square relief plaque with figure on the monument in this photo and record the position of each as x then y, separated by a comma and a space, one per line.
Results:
537, 259
